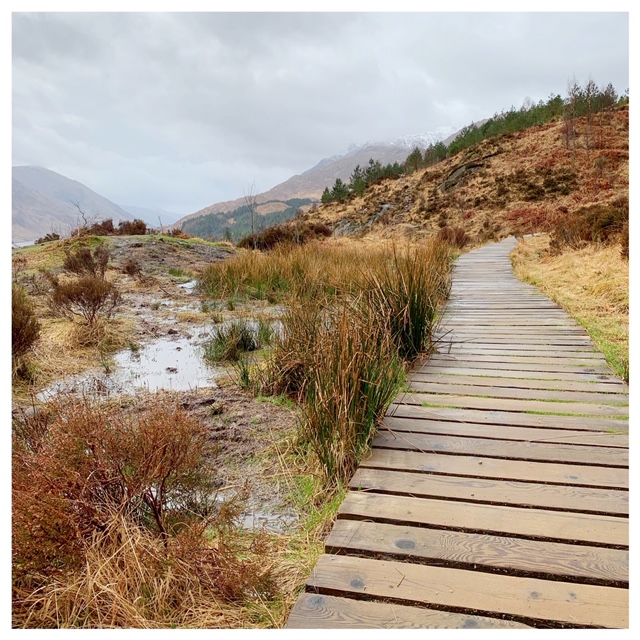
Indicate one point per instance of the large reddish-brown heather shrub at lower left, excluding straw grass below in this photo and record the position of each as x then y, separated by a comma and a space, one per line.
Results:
96, 460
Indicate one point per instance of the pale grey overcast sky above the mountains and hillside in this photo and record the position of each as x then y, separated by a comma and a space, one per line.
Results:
182, 110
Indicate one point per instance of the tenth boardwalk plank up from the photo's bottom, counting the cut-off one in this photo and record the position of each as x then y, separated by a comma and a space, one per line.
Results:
512, 405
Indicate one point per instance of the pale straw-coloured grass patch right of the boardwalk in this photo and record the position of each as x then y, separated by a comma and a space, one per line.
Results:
591, 284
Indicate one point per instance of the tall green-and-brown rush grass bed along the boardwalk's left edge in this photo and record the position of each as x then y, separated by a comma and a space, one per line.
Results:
342, 351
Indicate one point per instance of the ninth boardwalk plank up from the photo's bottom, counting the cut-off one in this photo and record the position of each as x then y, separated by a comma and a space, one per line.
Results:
508, 418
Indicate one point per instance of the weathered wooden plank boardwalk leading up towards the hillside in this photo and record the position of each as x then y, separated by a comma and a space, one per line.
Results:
496, 493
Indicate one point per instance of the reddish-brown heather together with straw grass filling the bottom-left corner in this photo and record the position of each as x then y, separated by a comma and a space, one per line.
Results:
115, 523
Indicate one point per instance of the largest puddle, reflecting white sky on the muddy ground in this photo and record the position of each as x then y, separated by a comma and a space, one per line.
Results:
175, 365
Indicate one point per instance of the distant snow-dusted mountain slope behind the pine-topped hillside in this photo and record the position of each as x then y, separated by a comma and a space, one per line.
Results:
312, 182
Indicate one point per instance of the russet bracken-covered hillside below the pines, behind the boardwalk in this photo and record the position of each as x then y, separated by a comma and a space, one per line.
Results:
512, 183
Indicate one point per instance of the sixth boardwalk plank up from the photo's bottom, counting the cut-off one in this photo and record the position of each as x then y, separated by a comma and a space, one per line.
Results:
476, 467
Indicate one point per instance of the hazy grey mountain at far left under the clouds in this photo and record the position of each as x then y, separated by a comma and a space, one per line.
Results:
43, 202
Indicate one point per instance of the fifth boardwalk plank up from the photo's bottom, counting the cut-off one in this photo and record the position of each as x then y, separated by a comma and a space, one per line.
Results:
500, 492
